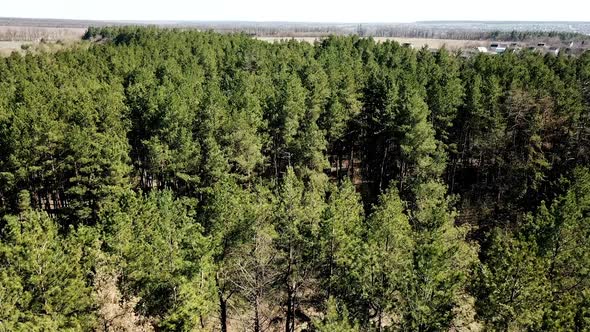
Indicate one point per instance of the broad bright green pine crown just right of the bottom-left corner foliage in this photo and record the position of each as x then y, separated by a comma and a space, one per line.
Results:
159, 248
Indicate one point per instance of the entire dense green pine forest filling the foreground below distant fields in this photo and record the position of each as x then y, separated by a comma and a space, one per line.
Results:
168, 180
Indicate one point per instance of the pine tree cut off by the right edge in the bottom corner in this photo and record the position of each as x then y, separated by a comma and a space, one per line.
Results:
562, 233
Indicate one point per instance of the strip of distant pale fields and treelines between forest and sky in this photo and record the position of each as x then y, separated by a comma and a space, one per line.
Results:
51, 34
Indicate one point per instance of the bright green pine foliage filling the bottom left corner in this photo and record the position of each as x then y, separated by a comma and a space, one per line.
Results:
43, 277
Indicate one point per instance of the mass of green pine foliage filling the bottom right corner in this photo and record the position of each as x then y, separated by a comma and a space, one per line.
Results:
539, 279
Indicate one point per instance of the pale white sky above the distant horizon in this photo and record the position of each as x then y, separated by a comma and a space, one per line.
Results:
301, 10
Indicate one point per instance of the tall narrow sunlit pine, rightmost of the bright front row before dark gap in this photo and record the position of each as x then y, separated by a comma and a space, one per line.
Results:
441, 261
